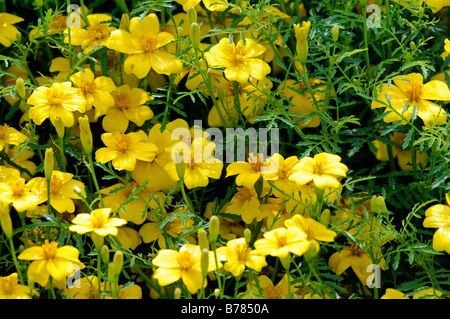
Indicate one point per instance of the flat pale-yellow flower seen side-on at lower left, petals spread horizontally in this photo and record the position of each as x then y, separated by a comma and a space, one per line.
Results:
98, 222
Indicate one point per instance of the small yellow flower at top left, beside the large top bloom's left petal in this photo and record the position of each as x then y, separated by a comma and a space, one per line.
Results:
95, 34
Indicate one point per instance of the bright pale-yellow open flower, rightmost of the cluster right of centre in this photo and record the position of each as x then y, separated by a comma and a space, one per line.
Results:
324, 170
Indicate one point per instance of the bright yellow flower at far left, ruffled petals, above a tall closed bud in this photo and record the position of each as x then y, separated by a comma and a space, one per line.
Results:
58, 100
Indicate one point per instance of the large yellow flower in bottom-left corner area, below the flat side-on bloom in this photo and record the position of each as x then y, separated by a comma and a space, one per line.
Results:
50, 260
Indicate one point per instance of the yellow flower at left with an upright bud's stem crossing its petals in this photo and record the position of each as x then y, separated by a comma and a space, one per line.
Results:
62, 190
